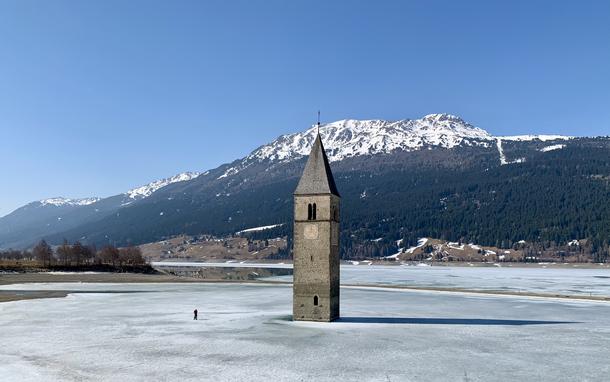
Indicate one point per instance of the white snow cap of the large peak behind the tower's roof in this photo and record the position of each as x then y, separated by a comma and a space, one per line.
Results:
350, 138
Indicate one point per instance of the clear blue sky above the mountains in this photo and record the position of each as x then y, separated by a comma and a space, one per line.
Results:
97, 97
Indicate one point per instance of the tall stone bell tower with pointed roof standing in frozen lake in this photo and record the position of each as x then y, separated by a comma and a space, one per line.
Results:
316, 241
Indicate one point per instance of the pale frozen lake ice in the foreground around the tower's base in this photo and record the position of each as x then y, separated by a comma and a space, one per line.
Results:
145, 332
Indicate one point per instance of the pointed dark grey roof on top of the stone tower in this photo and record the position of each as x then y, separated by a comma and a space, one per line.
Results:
317, 177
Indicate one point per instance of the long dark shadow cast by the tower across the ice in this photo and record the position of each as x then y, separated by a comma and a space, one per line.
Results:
445, 321
